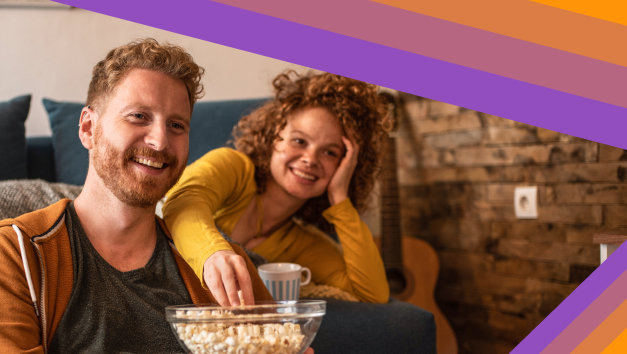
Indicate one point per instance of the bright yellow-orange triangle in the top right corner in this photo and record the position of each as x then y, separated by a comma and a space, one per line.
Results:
609, 10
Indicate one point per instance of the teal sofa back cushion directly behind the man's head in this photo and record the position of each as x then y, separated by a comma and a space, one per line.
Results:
211, 127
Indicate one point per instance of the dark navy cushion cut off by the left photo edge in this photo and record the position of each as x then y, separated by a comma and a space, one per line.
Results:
13, 114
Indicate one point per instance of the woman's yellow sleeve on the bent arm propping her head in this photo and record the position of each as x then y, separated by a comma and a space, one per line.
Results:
364, 272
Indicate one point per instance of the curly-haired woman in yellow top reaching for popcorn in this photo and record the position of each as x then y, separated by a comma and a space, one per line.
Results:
307, 158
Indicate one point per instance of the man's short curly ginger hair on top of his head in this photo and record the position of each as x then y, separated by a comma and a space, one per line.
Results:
167, 59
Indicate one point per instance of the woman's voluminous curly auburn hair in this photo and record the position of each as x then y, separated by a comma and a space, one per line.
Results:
361, 111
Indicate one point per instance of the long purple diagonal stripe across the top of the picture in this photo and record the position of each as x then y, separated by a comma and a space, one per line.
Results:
378, 64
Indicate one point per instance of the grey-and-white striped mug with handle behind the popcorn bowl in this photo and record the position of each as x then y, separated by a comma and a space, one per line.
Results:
283, 279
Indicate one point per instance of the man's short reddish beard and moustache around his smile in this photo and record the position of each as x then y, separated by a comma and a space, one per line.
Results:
131, 187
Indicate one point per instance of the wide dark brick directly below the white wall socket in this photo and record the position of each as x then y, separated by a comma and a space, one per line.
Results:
529, 230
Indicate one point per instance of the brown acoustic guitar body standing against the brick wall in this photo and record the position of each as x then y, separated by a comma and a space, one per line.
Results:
416, 285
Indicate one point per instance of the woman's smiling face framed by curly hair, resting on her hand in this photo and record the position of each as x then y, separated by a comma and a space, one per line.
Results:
307, 154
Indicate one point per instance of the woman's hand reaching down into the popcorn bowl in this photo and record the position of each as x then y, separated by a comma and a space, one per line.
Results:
225, 273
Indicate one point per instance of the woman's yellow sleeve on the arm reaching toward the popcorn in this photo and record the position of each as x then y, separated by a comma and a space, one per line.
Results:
217, 179
